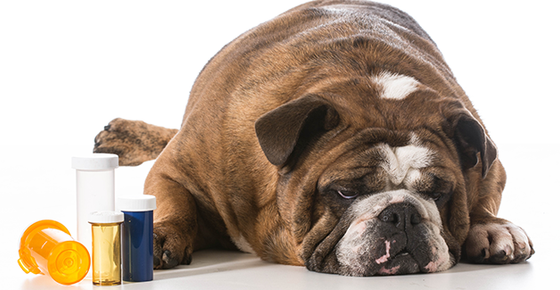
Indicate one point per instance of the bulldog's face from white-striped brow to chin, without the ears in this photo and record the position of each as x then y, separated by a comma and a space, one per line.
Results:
388, 195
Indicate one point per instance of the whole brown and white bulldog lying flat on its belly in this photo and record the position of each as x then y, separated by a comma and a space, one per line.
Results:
334, 137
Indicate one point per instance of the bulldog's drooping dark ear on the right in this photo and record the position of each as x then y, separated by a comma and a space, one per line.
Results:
471, 139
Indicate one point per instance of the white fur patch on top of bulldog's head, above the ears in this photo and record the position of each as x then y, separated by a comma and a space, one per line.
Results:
395, 86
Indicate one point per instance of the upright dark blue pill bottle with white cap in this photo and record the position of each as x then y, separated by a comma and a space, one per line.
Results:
137, 237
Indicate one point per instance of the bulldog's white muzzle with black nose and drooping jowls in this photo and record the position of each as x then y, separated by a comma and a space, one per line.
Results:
393, 232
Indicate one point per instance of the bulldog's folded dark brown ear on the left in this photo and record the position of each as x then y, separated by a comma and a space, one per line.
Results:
293, 125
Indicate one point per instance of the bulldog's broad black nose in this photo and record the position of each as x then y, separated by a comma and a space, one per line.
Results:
401, 215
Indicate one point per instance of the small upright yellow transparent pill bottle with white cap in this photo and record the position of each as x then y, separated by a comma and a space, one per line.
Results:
106, 247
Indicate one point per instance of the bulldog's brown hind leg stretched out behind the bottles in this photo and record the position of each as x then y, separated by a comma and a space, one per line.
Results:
133, 141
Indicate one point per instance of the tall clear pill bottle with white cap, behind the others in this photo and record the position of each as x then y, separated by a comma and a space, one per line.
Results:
95, 189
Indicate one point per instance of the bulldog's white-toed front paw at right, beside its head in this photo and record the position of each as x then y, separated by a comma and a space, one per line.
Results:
497, 243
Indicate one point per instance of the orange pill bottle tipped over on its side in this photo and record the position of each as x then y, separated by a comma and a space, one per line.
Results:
46, 247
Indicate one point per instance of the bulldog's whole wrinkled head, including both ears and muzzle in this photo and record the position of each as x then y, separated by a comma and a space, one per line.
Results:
376, 187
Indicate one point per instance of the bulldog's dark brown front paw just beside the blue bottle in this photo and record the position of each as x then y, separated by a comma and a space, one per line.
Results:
171, 247
